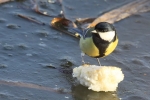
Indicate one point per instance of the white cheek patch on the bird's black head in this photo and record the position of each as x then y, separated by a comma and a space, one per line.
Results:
108, 36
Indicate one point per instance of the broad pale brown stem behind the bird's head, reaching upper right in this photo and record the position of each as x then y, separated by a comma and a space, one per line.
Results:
123, 12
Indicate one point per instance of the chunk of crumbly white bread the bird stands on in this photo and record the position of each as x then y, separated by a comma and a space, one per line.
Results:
99, 78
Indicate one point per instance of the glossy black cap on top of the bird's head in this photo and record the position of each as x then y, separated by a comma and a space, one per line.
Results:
104, 27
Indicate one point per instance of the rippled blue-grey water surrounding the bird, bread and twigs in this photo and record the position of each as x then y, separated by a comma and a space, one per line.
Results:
27, 48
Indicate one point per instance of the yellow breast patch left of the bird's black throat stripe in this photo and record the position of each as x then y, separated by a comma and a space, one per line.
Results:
87, 46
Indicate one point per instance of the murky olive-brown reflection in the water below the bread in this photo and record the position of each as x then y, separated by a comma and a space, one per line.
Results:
82, 93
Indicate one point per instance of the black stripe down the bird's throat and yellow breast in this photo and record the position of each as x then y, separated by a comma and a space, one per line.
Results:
101, 44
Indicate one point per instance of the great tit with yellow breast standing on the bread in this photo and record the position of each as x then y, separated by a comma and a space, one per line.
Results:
98, 41
